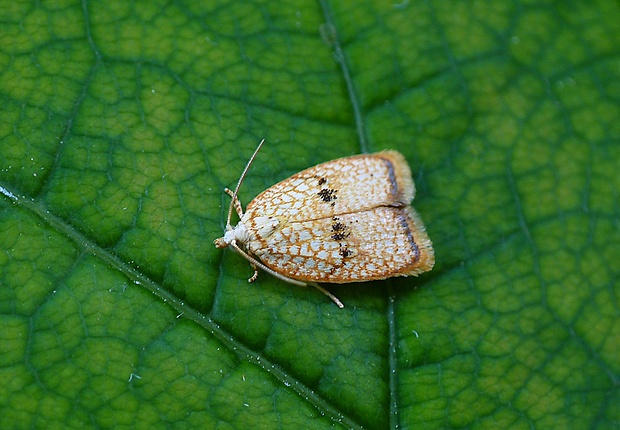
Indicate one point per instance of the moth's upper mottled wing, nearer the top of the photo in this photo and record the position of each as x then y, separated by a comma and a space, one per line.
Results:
345, 185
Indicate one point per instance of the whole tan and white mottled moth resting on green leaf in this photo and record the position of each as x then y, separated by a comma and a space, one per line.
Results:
346, 220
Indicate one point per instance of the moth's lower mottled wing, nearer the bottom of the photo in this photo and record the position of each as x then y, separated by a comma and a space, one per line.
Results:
361, 246
